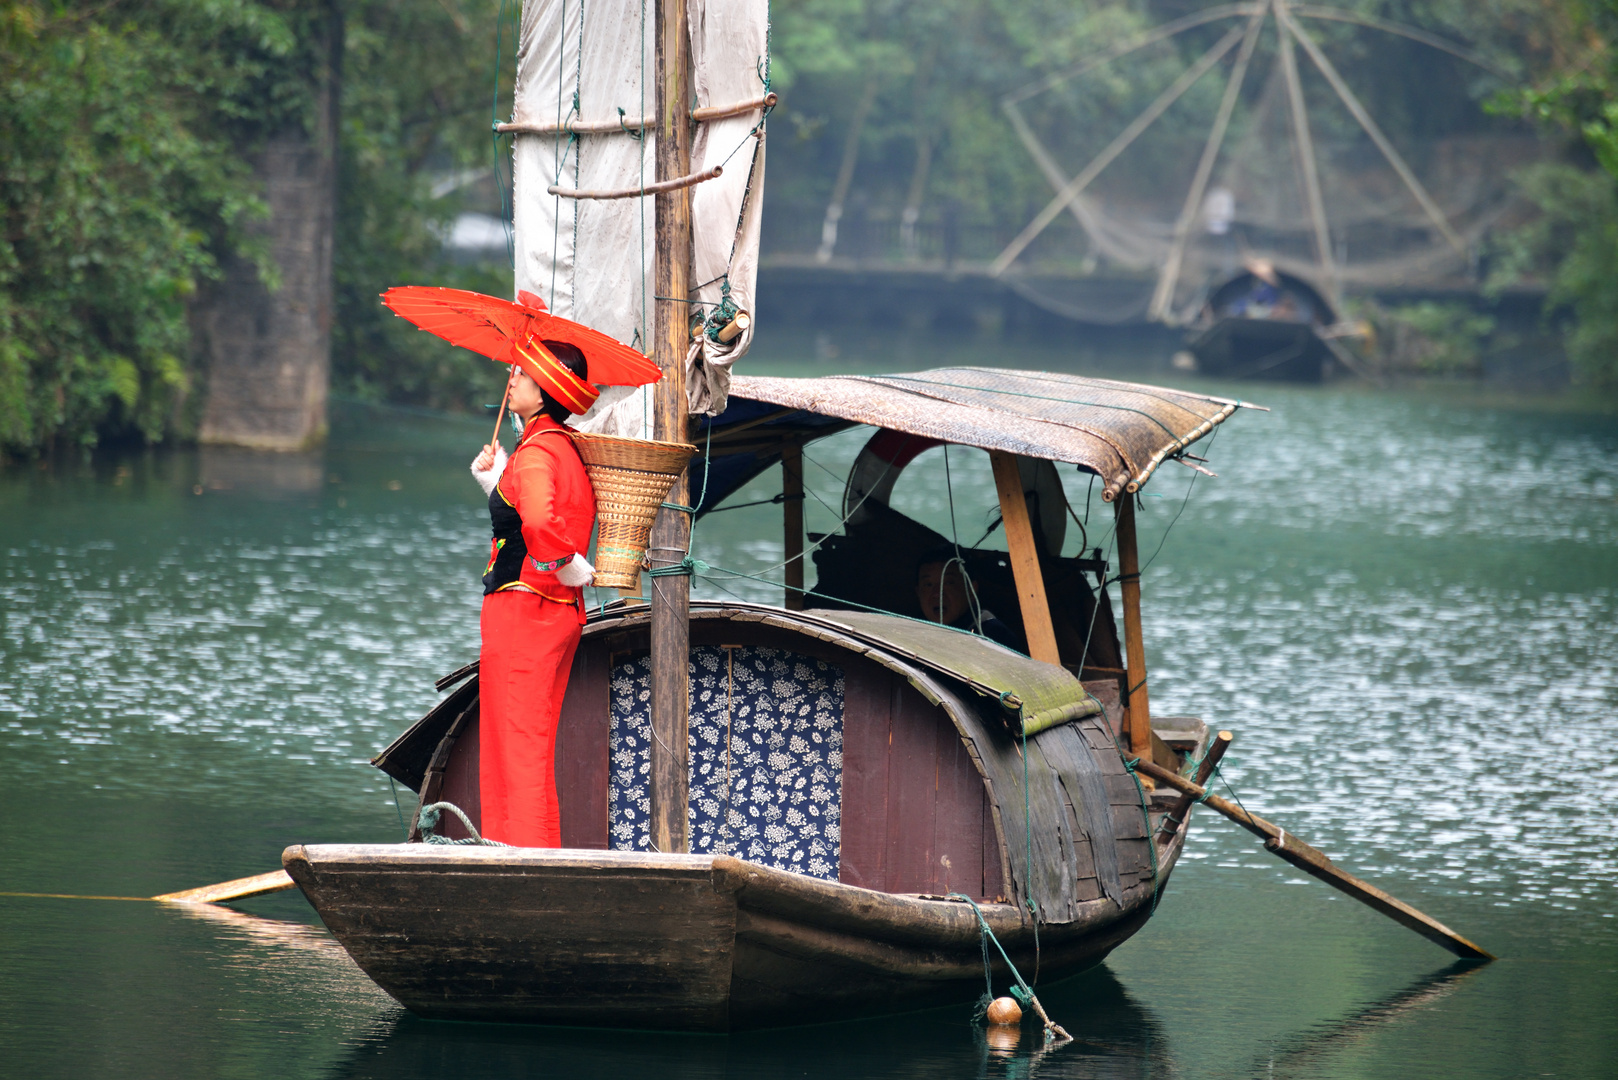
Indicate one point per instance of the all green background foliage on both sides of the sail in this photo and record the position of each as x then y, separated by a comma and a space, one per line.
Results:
129, 127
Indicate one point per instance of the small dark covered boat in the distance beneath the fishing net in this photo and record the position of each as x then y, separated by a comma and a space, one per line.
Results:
1284, 341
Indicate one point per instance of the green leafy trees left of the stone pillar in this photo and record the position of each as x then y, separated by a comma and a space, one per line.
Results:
121, 184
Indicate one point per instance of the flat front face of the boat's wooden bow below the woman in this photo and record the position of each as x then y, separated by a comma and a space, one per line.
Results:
498, 935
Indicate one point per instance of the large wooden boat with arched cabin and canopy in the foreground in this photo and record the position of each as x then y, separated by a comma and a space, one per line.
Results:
852, 776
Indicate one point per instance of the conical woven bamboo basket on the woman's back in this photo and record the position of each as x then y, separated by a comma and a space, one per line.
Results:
632, 478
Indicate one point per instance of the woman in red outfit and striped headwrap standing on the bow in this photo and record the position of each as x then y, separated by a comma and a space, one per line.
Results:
543, 511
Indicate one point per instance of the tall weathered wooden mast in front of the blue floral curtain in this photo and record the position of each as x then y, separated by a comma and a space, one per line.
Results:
672, 534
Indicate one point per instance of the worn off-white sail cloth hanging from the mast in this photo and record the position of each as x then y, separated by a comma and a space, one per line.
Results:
595, 260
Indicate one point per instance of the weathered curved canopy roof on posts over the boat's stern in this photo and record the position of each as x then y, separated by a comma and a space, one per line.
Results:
1120, 432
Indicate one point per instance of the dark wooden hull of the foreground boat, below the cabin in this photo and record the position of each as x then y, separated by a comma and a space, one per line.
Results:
695, 943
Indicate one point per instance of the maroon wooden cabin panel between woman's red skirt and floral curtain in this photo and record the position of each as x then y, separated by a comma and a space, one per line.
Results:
583, 739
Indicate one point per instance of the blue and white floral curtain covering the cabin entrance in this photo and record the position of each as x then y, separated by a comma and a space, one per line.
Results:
766, 759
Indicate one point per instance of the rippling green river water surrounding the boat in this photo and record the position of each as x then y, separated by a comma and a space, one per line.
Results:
1404, 605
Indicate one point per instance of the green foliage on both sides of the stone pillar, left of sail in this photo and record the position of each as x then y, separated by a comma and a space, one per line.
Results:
125, 142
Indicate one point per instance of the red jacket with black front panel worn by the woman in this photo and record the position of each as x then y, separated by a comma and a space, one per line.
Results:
546, 485
